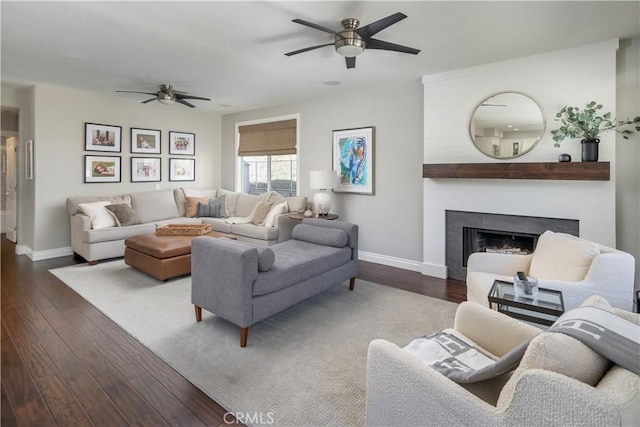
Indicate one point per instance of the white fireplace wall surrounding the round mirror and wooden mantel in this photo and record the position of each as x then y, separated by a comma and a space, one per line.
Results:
555, 79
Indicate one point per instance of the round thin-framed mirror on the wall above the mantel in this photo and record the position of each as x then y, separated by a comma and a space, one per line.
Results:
507, 125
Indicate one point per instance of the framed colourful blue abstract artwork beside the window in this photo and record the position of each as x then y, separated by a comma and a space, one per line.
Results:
353, 157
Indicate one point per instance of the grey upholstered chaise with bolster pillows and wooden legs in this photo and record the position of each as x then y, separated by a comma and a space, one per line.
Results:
245, 284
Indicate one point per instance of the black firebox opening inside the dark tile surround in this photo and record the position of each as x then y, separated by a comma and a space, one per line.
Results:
496, 241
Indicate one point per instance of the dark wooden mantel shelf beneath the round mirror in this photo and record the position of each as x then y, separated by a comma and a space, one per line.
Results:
577, 171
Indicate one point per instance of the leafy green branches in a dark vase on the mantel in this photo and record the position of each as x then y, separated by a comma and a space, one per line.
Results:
588, 124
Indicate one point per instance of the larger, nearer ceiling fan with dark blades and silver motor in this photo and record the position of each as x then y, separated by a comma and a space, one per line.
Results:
353, 39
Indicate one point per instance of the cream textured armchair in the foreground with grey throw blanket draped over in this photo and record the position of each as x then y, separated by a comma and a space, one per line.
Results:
559, 381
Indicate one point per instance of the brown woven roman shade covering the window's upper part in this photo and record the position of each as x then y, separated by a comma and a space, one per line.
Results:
272, 138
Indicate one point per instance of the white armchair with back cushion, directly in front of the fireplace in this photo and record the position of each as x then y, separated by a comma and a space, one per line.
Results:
577, 267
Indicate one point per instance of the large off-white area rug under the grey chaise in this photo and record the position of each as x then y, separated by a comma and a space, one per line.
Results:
305, 366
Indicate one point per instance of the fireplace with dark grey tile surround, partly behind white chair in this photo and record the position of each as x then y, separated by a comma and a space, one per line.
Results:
469, 232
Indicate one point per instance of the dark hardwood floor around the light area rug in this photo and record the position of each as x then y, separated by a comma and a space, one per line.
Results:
65, 363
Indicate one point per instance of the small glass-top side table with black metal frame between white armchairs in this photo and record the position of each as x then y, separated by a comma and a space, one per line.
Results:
544, 309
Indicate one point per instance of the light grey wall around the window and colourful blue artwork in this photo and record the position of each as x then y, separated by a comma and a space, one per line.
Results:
391, 220
